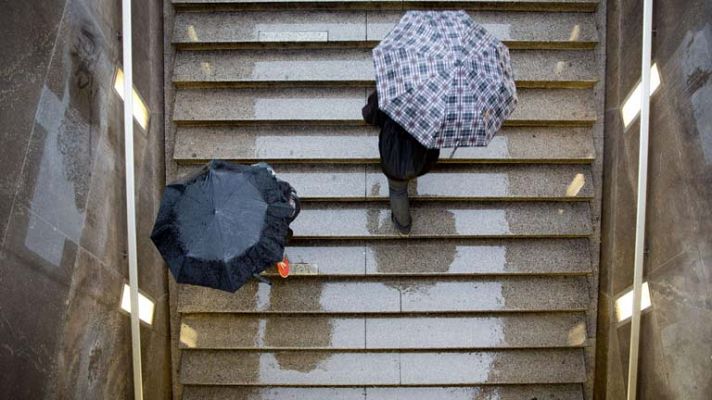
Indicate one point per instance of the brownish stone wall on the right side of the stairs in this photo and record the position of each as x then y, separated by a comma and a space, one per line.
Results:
676, 337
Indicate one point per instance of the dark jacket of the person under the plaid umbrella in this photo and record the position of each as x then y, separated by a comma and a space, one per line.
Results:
402, 156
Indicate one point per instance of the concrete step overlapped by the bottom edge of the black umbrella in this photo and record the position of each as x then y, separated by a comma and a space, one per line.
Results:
393, 296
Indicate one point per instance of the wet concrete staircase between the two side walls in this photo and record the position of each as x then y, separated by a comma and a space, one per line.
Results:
492, 296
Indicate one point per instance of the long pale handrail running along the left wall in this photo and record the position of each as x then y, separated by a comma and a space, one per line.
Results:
130, 197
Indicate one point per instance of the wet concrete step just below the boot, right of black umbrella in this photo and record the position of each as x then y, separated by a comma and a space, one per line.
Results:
440, 257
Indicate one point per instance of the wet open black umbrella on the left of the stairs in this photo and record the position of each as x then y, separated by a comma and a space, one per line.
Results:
225, 224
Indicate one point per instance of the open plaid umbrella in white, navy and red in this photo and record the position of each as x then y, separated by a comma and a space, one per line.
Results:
445, 79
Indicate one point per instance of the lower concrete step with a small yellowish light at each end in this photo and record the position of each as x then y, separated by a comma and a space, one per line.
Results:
338, 333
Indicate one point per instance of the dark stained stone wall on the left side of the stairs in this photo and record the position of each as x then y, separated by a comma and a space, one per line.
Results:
62, 208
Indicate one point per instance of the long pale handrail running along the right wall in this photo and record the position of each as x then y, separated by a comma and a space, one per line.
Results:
642, 200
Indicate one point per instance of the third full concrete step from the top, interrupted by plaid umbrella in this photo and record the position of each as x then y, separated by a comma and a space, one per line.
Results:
342, 106
